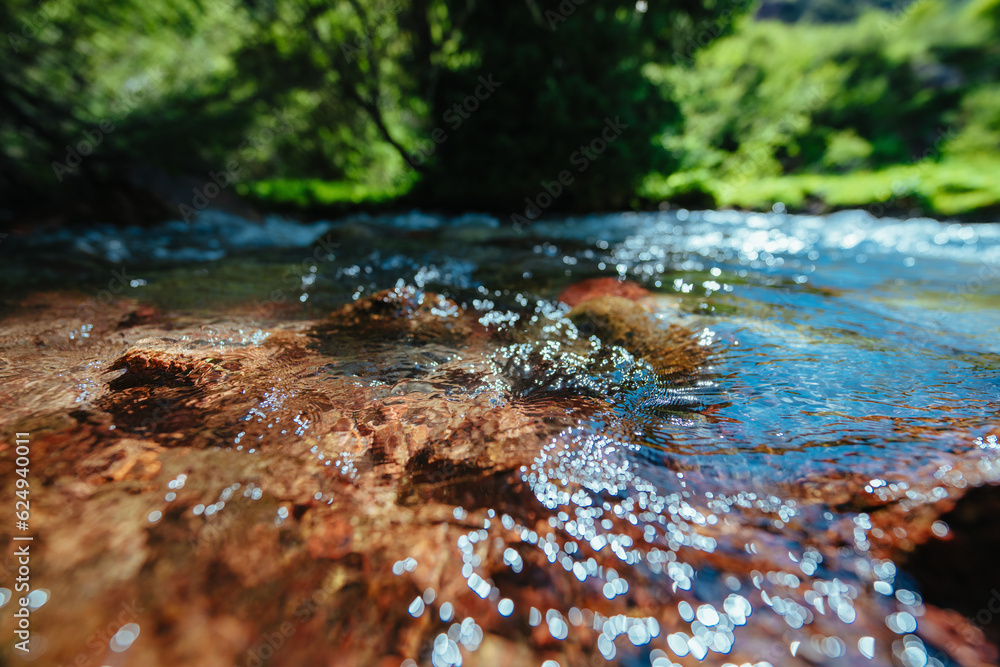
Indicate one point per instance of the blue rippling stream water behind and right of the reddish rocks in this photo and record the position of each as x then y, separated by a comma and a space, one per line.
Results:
830, 327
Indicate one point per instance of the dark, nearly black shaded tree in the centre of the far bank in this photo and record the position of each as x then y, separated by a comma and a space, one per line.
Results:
545, 104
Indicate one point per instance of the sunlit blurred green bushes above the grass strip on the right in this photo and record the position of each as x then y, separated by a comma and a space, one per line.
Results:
775, 99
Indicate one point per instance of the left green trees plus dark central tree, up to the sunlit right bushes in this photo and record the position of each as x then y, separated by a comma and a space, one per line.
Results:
117, 102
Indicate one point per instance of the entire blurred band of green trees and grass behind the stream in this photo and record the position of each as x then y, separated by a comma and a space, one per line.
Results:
135, 110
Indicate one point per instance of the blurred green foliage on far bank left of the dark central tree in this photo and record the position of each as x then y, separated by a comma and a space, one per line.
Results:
146, 93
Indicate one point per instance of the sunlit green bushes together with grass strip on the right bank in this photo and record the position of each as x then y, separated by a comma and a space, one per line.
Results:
773, 112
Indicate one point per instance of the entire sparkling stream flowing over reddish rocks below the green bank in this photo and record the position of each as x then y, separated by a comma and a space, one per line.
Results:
756, 510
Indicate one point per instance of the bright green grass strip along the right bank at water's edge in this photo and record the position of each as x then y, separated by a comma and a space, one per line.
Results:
941, 189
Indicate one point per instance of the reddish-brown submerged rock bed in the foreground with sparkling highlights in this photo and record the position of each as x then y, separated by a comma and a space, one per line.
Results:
407, 481
